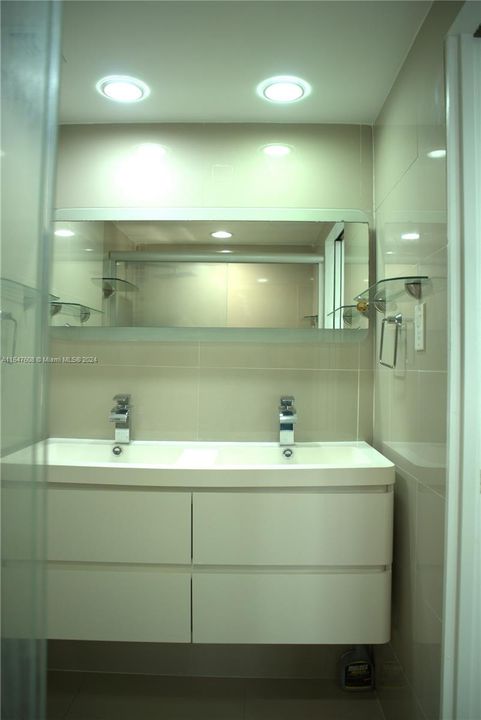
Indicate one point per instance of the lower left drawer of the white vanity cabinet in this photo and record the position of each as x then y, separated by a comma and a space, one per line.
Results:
129, 604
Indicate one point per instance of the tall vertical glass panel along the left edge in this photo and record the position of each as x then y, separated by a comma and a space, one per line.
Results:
30, 42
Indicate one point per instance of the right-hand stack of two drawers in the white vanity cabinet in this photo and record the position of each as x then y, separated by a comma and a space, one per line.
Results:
292, 567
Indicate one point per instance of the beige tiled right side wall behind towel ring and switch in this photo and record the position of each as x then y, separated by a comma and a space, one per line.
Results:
410, 401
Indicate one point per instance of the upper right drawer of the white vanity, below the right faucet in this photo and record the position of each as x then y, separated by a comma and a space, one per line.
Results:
293, 528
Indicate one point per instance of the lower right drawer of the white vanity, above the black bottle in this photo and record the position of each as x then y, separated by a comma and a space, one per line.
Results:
295, 608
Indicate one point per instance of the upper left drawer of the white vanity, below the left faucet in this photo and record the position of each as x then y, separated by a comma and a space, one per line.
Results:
113, 525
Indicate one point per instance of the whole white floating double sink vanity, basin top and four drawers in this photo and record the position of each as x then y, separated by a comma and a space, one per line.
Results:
204, 542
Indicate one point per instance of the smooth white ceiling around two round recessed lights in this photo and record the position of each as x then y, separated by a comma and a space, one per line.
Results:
203, 59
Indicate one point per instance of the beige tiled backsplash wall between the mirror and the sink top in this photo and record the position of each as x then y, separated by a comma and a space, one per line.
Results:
213, 391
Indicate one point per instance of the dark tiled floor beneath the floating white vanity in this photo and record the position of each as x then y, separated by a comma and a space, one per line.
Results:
89, 696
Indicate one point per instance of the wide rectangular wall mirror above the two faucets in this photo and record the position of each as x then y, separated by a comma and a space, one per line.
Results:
185, 277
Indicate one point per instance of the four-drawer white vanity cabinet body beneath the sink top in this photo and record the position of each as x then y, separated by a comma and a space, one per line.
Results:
220, 564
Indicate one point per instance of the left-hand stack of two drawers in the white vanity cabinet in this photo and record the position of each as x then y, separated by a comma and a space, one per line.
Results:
119, 564
